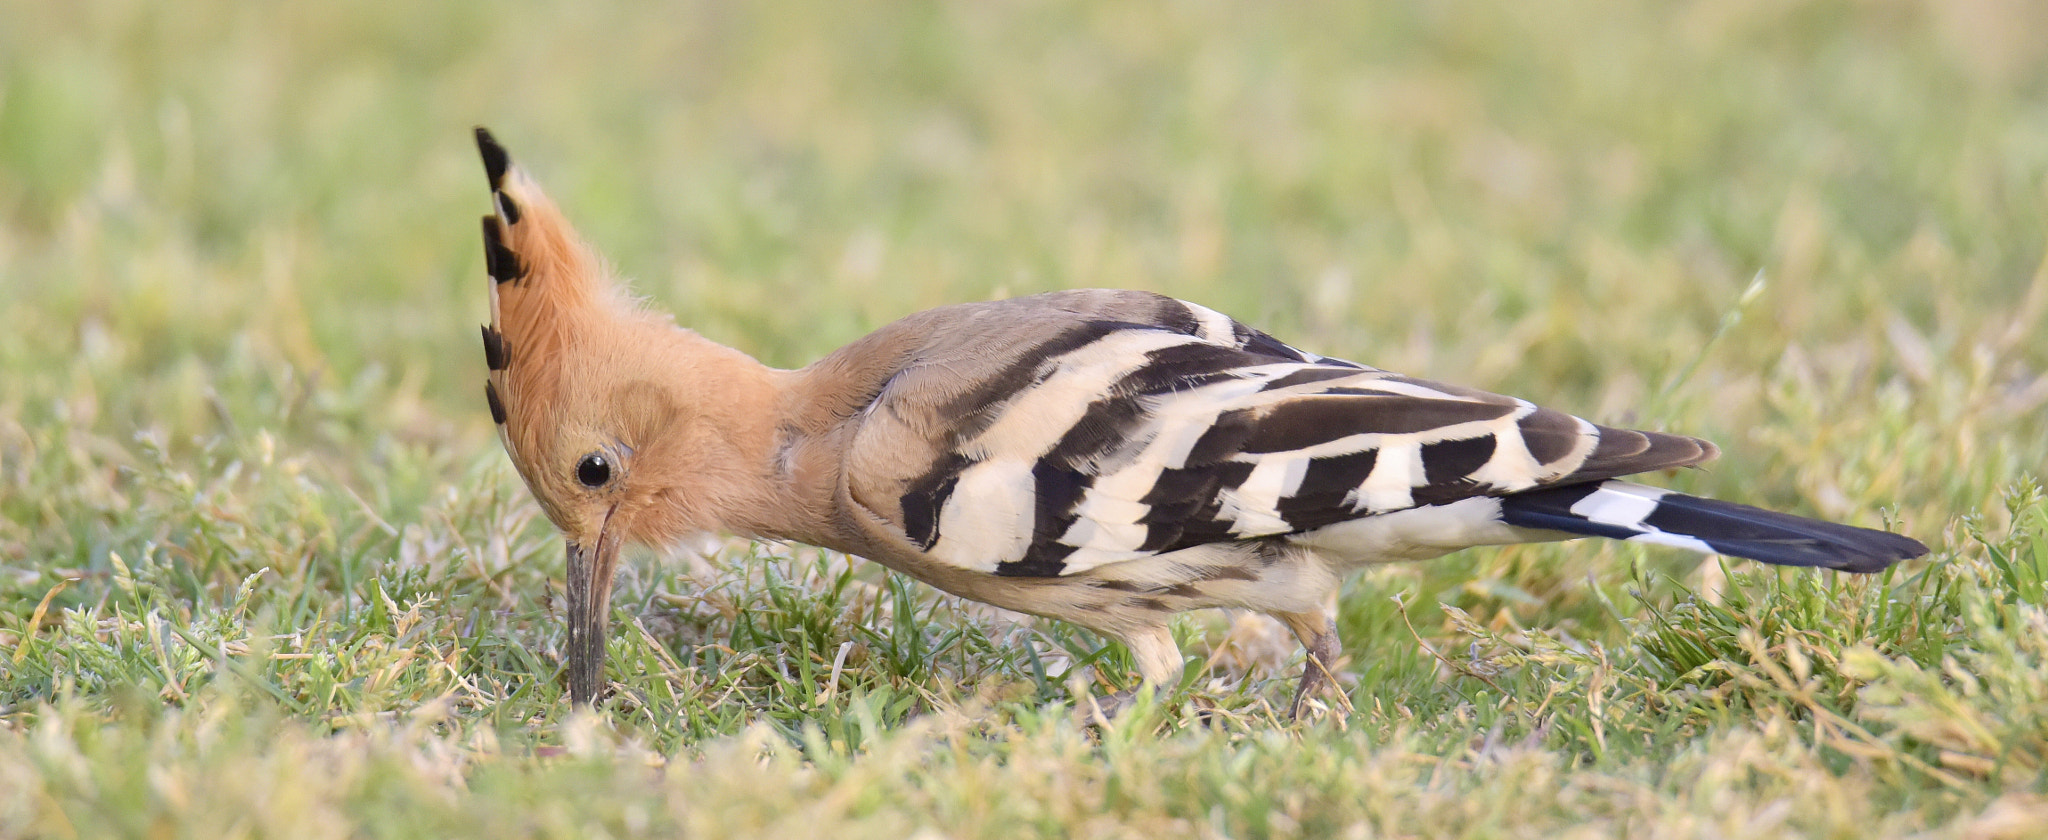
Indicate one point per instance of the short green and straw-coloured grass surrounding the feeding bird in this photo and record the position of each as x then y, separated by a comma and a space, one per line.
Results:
267, 573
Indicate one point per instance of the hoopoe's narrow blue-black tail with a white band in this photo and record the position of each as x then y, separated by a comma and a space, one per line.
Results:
1650, 515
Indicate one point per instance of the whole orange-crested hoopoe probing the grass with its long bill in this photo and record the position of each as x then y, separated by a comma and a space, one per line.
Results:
1105, 458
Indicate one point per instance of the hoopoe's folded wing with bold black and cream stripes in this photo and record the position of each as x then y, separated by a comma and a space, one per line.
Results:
1115, 442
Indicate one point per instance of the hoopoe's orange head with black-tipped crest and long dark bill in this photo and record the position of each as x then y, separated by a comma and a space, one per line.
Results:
583, 386
